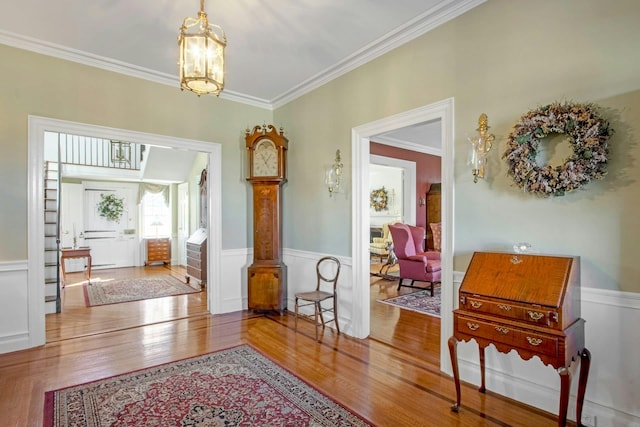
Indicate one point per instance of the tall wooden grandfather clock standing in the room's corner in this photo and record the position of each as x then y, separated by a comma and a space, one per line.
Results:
267, 276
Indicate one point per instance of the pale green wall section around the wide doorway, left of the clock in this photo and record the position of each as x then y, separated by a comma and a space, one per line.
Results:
34, 84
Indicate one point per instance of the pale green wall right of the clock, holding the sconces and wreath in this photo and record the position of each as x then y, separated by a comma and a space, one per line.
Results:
502, 58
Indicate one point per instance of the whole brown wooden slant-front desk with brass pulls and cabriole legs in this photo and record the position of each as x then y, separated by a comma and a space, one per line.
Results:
527, 303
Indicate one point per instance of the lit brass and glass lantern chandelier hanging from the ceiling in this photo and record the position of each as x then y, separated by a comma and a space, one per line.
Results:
201, 55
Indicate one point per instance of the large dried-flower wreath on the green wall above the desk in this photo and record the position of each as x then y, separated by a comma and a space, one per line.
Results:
588, 136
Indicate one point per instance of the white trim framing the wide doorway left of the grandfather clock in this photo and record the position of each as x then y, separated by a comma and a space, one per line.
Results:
35, 203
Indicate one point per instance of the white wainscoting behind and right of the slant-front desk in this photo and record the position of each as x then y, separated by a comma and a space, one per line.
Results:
613, 389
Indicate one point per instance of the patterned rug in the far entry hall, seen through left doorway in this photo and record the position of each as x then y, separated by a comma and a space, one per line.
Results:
133, 289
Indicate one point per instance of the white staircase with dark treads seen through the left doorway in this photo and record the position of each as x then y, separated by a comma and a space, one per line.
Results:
52, 290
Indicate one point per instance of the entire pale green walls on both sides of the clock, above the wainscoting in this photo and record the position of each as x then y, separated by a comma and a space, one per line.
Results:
502, 58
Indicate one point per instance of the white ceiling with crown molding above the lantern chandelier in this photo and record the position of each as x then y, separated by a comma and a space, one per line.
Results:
277, 50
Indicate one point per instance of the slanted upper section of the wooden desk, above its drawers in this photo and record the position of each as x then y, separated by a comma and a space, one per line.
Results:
534, 279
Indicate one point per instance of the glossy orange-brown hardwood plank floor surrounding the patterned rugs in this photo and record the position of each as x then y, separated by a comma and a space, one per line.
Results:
390, 385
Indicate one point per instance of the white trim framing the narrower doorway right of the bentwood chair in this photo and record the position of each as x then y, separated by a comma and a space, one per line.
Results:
360, 139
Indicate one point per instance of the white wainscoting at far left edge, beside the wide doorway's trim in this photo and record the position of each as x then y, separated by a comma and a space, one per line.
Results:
14, 306
